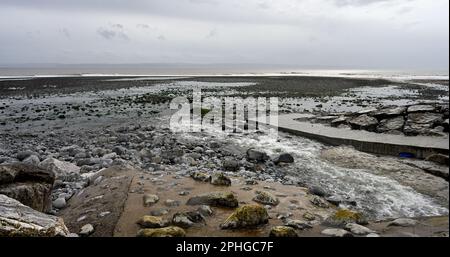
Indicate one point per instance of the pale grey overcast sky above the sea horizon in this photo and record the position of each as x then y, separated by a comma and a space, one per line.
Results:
352, 33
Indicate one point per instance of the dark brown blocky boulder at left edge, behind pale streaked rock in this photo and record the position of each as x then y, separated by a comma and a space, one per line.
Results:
30, 185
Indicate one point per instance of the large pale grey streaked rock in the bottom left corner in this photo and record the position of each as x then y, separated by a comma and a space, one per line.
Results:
18, 220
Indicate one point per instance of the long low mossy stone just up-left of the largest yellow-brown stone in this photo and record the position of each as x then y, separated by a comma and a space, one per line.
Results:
218, 199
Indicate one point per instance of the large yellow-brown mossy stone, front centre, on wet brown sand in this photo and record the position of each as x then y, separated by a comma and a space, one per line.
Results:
247, 216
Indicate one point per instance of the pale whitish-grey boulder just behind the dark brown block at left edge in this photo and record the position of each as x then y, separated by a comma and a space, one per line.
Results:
62, 170
